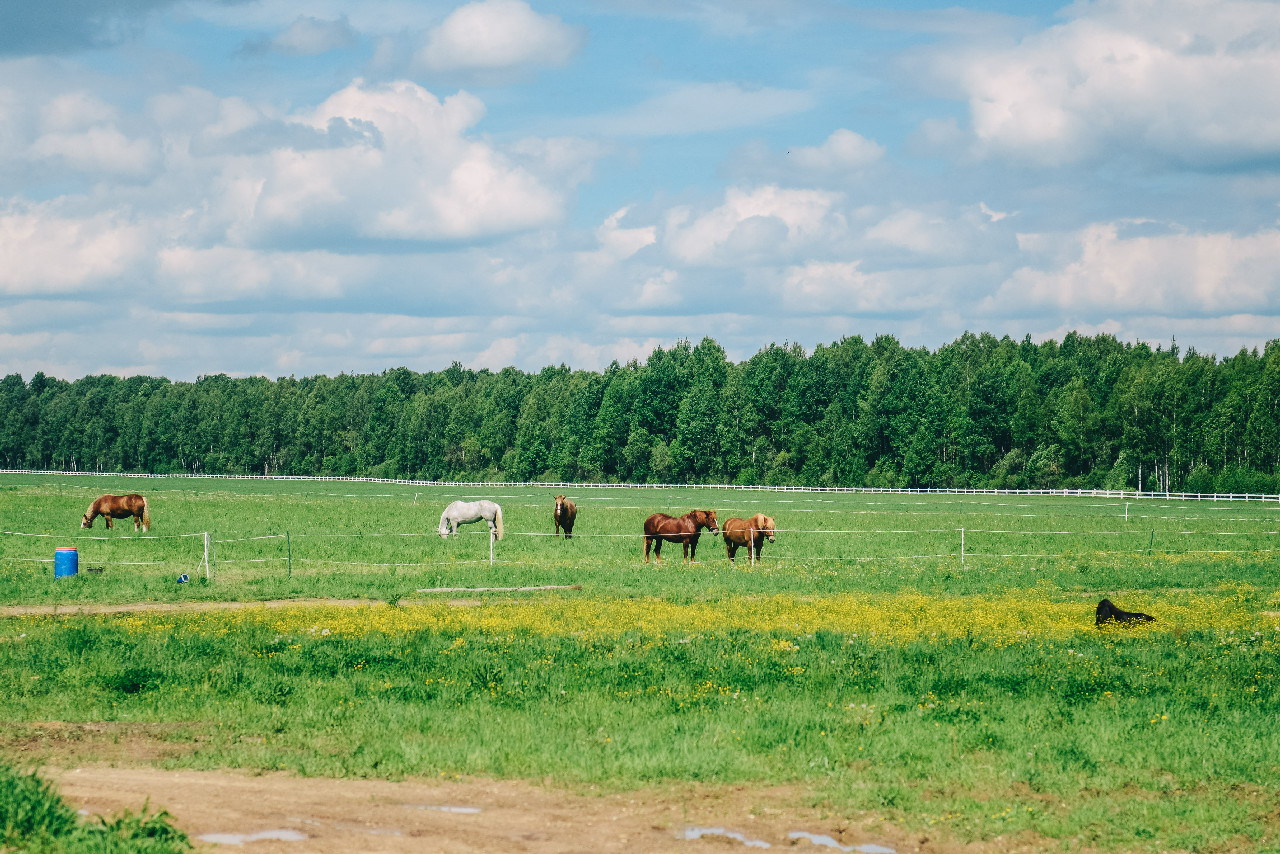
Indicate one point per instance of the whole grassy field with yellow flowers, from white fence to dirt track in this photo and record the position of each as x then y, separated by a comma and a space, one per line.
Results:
871, 669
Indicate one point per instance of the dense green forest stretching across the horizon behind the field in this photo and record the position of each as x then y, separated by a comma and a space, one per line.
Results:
979, 413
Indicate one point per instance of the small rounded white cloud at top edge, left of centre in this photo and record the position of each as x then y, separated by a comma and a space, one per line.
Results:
496, 35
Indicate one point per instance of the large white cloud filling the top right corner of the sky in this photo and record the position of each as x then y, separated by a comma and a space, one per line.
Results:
1185, 80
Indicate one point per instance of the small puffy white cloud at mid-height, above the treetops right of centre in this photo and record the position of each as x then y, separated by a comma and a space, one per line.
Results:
766, 222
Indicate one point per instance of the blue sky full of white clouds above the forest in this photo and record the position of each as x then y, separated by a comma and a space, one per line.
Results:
287, 188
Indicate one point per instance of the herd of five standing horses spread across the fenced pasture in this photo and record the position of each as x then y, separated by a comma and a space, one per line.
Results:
659, 529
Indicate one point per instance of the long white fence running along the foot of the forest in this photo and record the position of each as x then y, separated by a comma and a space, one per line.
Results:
921, 491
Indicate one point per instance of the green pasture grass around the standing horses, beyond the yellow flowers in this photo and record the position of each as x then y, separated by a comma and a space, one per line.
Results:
372, 540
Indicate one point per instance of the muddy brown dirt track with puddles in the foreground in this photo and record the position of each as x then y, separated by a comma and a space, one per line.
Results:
280, 814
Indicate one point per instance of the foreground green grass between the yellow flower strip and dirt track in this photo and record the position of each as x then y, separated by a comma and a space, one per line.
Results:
1122, 741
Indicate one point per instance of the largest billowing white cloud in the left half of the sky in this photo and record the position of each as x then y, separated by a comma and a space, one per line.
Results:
401, 167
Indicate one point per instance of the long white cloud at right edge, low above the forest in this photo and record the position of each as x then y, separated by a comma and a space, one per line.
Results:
1205, 275
